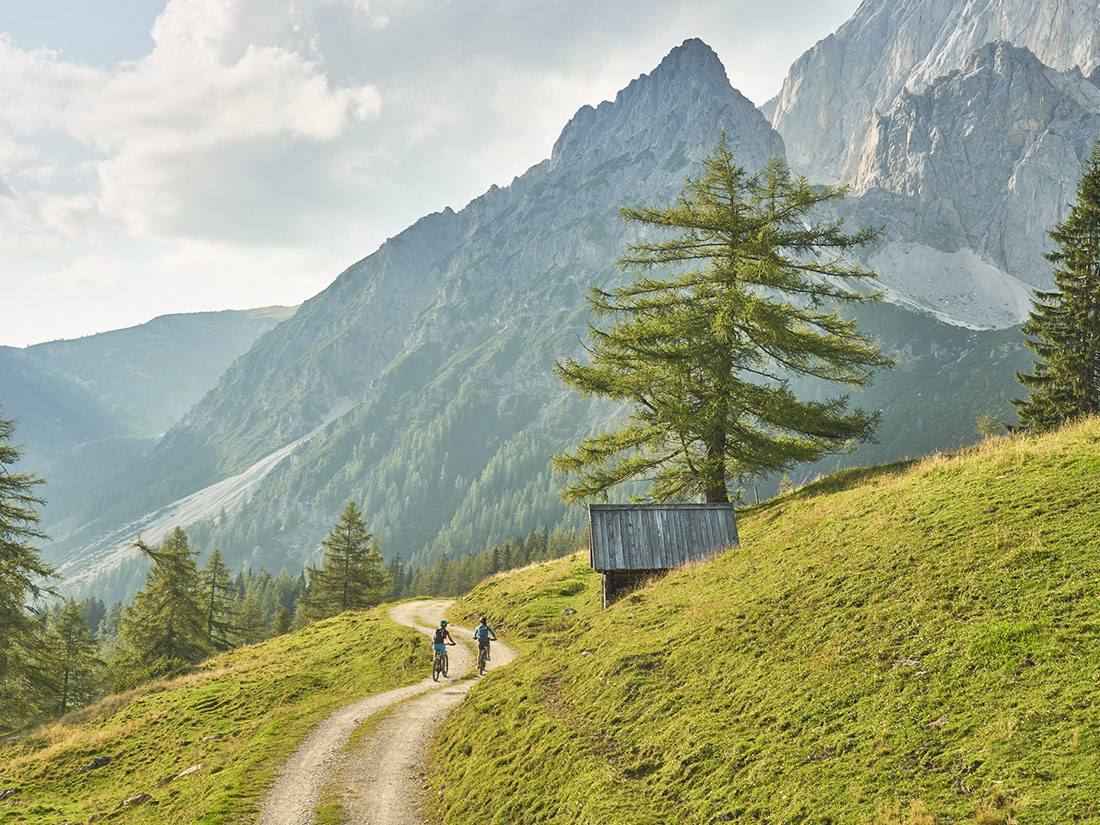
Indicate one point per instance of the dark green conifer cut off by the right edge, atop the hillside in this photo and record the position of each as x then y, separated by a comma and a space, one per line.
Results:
1063, 328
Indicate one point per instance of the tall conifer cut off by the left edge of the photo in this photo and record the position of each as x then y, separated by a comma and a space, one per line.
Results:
23, 664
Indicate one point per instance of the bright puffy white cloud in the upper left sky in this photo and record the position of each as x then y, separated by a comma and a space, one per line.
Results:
164, 127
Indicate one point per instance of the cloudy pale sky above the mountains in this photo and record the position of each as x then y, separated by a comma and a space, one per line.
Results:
162, 157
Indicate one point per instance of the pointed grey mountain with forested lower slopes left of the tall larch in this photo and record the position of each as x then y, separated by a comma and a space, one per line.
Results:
454, 323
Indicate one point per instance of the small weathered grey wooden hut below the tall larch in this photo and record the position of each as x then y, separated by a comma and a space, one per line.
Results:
633, 542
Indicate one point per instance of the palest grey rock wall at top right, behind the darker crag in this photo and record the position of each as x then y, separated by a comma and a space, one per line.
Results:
829, 97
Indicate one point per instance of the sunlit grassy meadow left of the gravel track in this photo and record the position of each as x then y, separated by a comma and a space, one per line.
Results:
239, 719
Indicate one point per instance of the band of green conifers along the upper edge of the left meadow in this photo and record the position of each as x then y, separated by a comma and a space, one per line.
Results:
58, 655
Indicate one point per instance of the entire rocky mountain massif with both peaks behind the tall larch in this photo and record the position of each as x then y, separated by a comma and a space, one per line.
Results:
420, 383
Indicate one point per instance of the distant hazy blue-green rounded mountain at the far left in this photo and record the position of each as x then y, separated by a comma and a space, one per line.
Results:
91, 408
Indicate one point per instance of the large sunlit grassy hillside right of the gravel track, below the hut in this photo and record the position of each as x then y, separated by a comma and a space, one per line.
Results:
916, 643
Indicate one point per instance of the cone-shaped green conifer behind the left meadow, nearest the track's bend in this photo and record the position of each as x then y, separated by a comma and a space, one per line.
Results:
354, 575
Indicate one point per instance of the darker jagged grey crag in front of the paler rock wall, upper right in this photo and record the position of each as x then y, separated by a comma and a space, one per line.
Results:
985, 160
